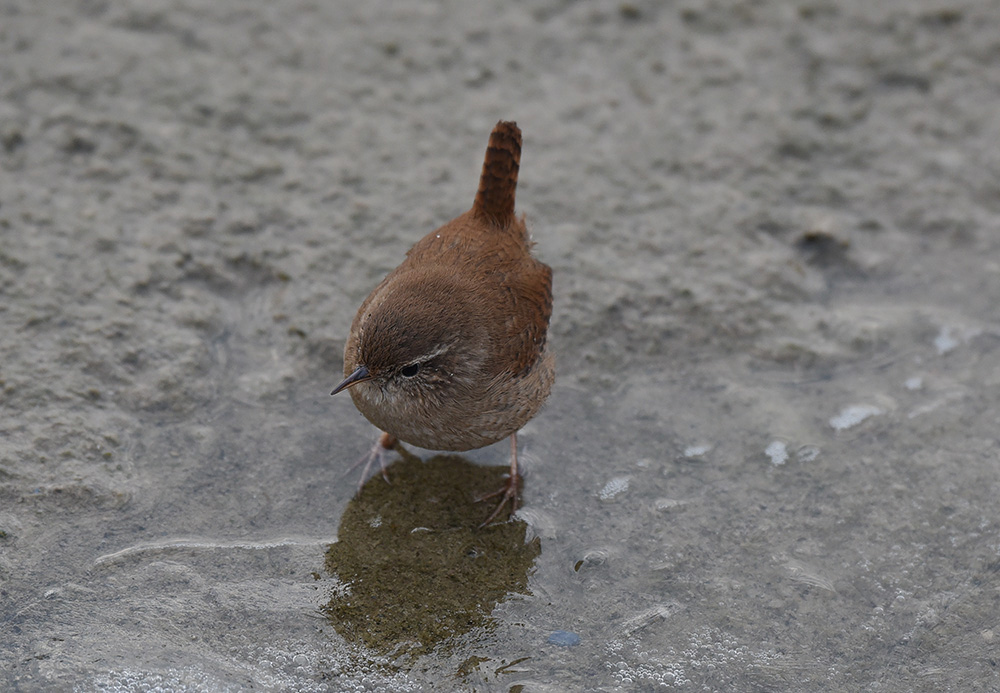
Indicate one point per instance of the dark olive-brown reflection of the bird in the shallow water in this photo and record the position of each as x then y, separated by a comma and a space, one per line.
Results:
416, 566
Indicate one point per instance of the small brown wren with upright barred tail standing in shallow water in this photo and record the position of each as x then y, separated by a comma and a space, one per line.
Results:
449, 351
